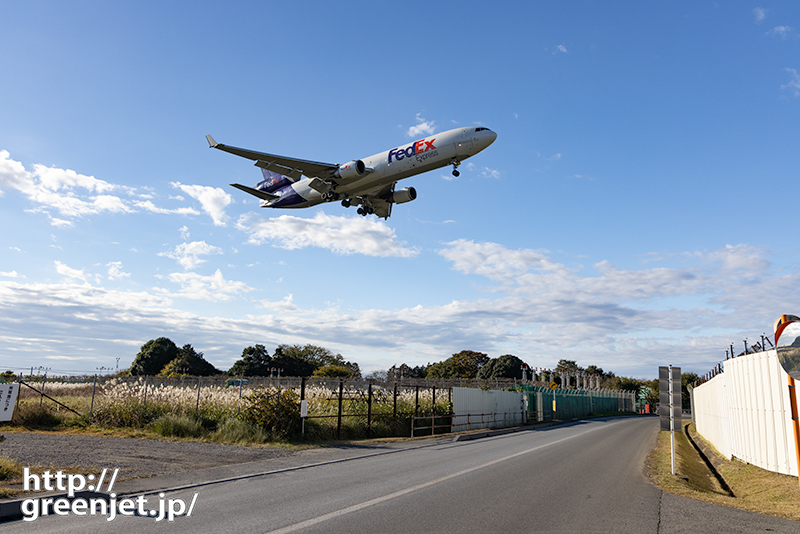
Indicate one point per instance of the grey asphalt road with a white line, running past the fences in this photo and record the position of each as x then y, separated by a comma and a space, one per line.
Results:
583, 477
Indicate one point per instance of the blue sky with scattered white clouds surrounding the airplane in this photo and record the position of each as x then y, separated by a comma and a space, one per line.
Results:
636, 209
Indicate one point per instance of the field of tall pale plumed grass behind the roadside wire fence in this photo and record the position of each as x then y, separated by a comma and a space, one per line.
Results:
214, 414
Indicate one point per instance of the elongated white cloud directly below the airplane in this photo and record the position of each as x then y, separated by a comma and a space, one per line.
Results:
342, 235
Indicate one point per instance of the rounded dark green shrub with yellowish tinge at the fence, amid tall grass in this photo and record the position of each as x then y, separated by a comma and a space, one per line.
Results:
274, 410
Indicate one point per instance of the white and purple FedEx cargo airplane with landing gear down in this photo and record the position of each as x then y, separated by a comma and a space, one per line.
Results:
368, 183
